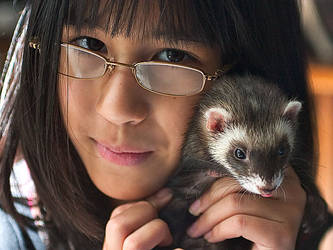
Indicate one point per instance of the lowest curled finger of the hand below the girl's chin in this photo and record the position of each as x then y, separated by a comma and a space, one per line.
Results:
152, 234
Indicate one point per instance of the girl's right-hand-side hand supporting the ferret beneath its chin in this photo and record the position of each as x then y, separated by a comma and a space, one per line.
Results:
270, 223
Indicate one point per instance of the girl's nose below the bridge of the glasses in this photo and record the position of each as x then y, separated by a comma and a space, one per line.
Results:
122, 101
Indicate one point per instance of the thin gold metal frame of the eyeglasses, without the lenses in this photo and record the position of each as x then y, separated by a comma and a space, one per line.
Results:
111, 65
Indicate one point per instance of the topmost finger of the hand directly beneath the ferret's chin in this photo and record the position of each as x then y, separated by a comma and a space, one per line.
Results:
236, 204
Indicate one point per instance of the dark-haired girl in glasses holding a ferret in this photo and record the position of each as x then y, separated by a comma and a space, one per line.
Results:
105, 92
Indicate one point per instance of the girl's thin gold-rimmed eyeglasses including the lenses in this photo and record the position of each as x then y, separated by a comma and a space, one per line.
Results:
158, 77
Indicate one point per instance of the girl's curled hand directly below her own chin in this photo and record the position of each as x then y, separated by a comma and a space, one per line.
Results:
136, 226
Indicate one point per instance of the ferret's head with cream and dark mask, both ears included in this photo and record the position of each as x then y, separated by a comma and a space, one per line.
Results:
255, 150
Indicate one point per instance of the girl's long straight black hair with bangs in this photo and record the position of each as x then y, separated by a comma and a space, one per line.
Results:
260, 37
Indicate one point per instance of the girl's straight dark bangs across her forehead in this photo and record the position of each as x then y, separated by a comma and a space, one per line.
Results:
155, 19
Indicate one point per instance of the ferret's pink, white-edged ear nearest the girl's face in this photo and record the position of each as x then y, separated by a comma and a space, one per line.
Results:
216, 119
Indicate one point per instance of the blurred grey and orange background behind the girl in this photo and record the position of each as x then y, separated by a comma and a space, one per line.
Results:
318, 26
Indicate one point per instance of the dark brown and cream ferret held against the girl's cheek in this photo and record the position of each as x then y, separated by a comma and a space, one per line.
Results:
244, 128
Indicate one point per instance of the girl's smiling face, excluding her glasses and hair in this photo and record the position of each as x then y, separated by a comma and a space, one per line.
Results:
128, 138
